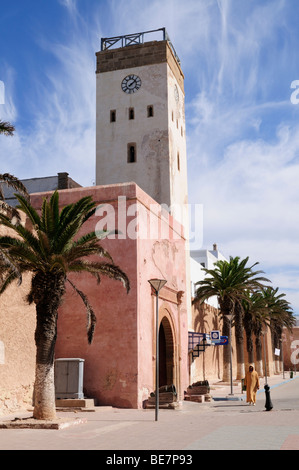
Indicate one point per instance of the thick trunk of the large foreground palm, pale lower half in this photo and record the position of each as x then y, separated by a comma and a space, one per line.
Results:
47, 291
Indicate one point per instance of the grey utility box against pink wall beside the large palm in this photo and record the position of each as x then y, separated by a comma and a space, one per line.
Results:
69, 378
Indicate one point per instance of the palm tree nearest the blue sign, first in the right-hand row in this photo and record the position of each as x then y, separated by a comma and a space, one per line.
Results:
230, 281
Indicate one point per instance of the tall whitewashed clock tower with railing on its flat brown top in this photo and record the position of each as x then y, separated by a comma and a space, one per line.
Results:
140, 123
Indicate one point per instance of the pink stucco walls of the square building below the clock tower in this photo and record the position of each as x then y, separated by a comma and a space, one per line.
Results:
119, 365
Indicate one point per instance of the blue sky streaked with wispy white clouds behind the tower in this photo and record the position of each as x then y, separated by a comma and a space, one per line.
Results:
239, 58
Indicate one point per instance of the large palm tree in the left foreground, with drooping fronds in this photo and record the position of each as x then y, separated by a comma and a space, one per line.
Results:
50, 251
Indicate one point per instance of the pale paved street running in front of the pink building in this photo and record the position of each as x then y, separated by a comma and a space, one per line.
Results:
222, 424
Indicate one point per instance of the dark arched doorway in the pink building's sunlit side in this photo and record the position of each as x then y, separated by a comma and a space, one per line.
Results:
166, 354
